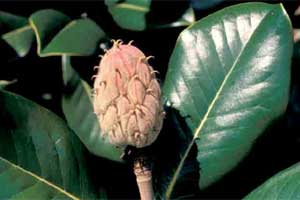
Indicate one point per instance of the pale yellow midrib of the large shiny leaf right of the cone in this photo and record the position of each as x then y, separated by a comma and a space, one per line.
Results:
210, 107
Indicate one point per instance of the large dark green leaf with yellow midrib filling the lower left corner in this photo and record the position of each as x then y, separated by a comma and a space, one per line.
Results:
40, 157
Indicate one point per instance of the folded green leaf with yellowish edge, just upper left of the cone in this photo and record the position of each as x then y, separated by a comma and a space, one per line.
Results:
57, 35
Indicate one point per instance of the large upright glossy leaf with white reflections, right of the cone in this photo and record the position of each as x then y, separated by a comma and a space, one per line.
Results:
229, 77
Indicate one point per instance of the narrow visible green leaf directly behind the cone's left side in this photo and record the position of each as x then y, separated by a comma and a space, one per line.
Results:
78, 109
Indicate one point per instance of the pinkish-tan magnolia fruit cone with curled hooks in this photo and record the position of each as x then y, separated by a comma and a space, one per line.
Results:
127, 97
